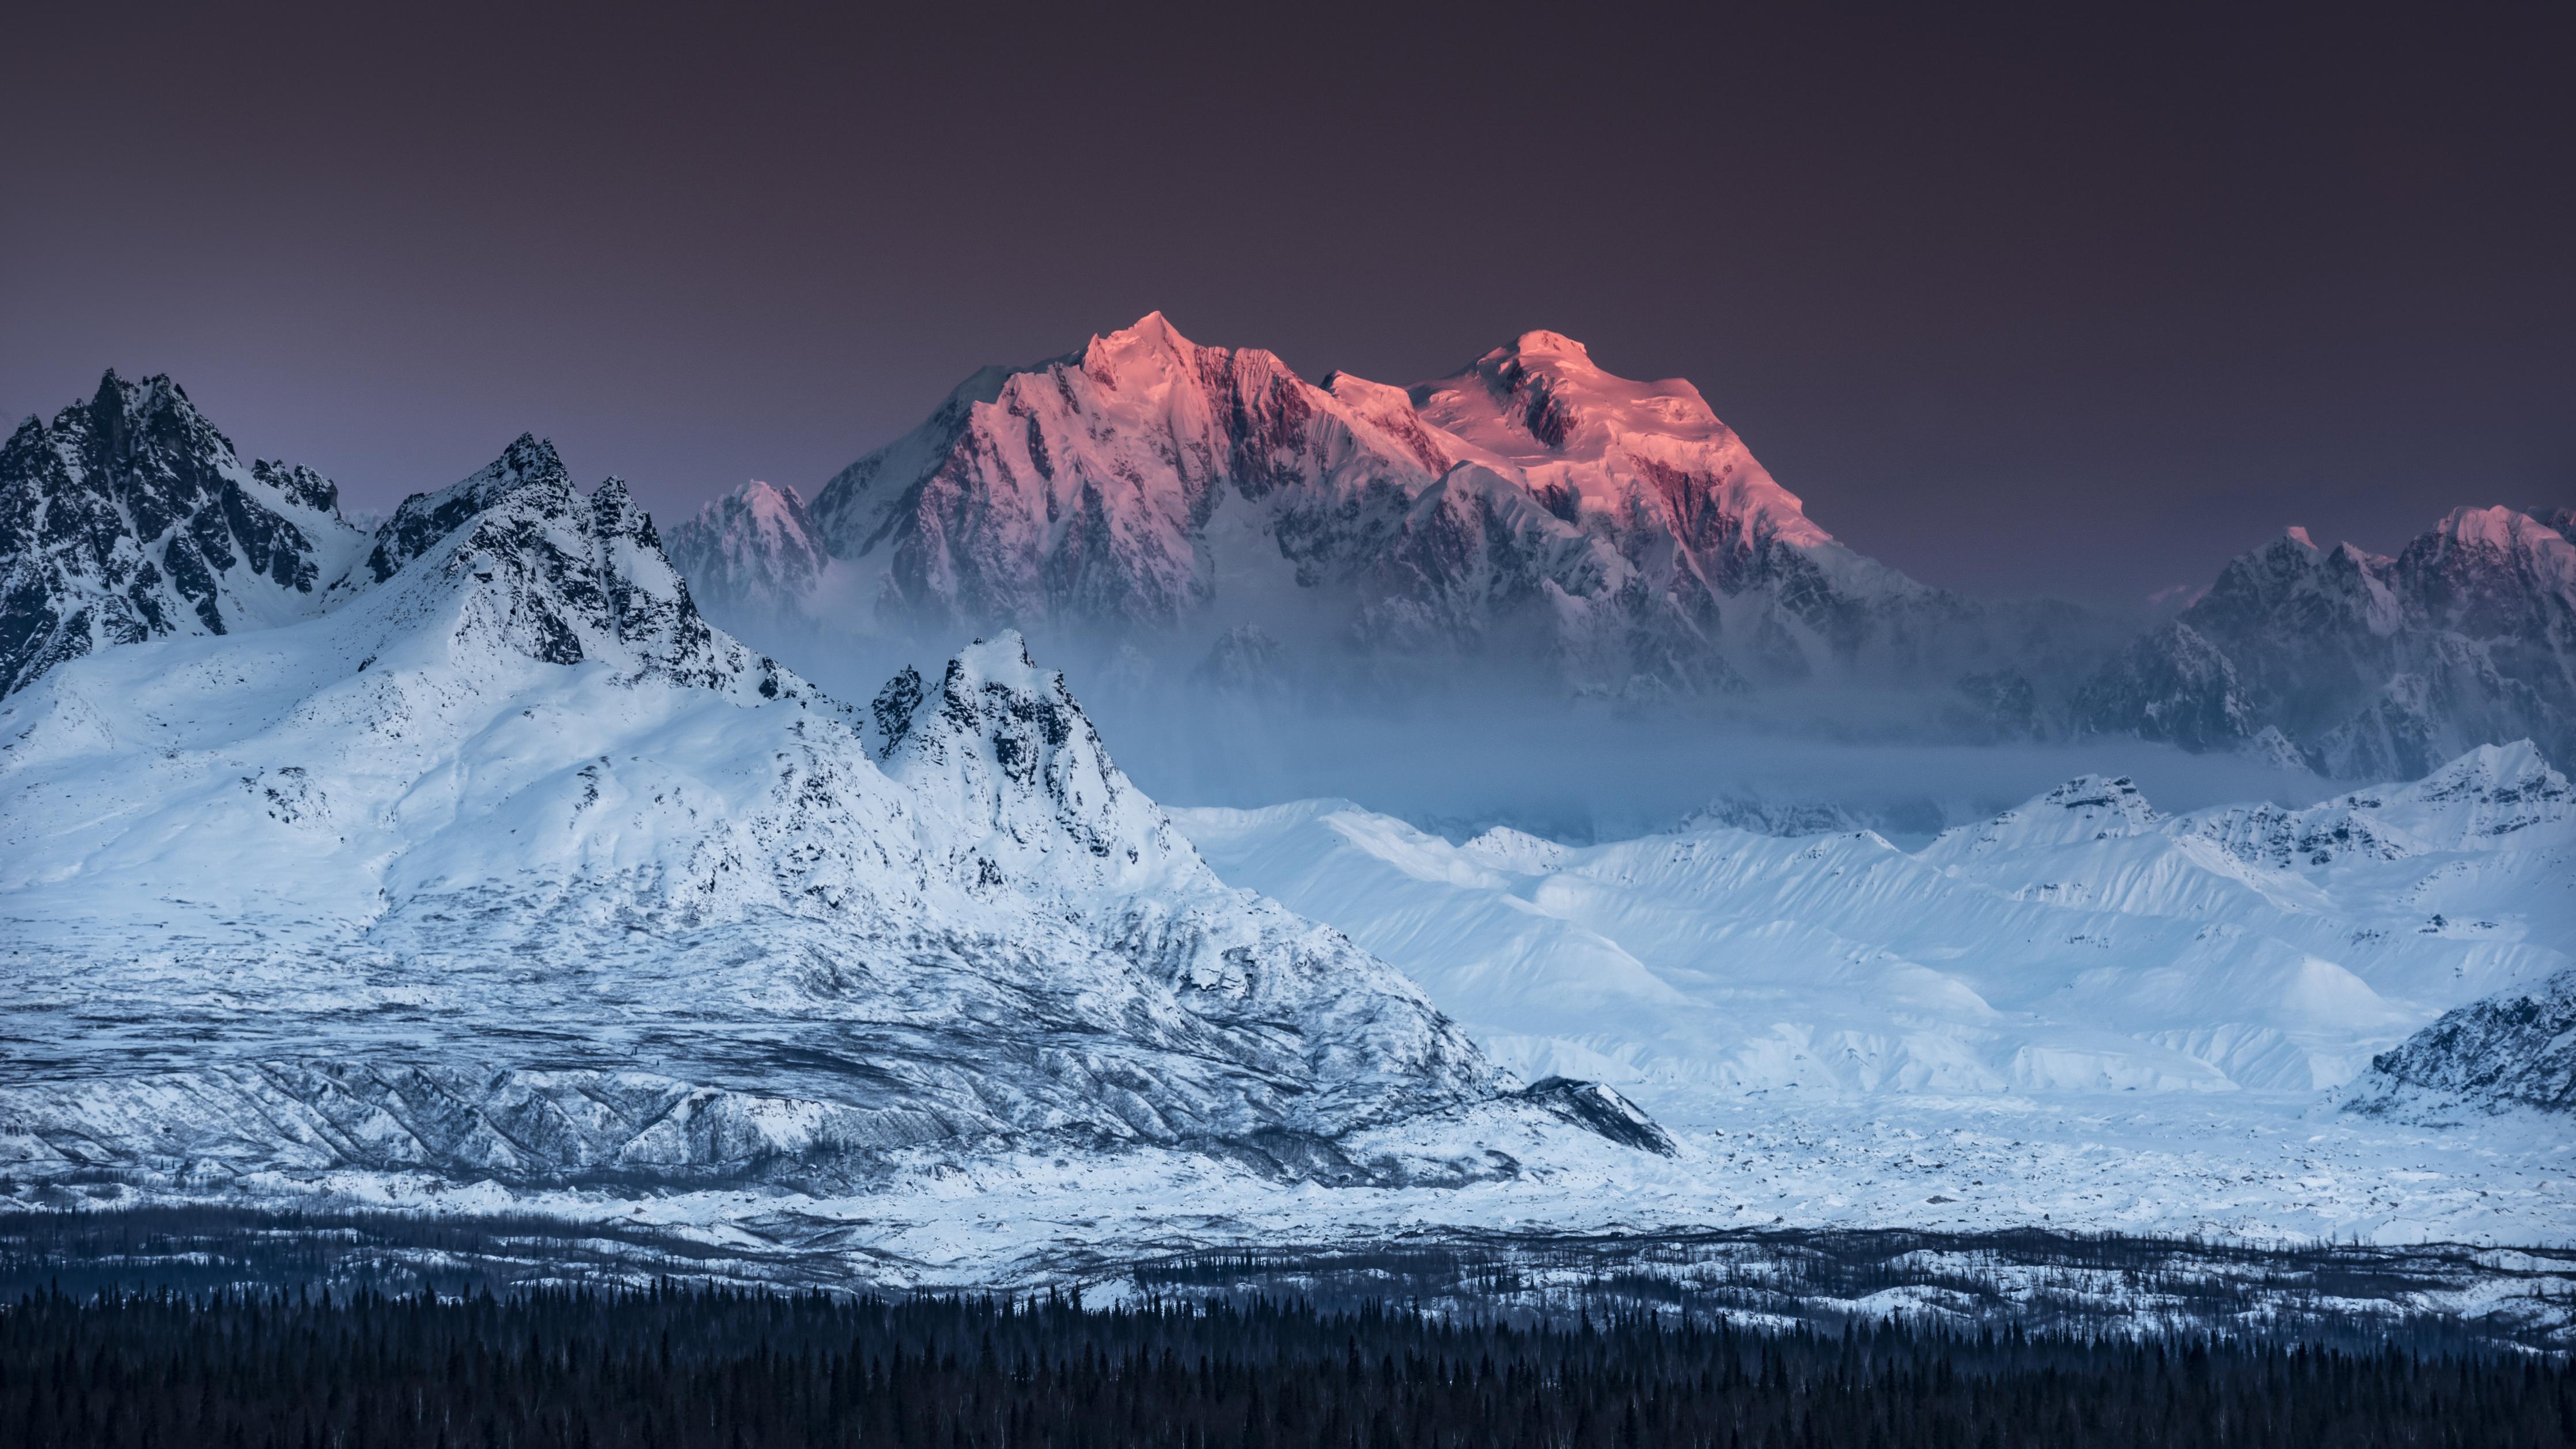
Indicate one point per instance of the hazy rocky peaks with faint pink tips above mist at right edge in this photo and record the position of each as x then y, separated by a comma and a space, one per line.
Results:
2376, 666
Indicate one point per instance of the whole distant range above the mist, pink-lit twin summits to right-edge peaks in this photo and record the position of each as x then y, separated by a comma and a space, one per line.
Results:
1542, 520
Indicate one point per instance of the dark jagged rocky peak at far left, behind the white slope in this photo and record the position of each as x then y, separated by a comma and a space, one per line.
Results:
133, 520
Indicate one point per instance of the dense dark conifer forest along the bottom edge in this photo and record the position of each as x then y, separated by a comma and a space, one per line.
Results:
746, 1370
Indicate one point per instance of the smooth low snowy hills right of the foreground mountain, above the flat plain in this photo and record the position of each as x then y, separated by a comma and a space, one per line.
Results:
2083, 942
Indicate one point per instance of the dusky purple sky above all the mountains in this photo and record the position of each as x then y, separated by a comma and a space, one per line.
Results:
2018, 303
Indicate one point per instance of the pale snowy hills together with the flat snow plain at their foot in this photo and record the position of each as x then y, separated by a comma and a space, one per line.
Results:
2080, 1015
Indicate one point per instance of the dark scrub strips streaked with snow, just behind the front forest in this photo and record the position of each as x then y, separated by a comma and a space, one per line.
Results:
2345, 1296
